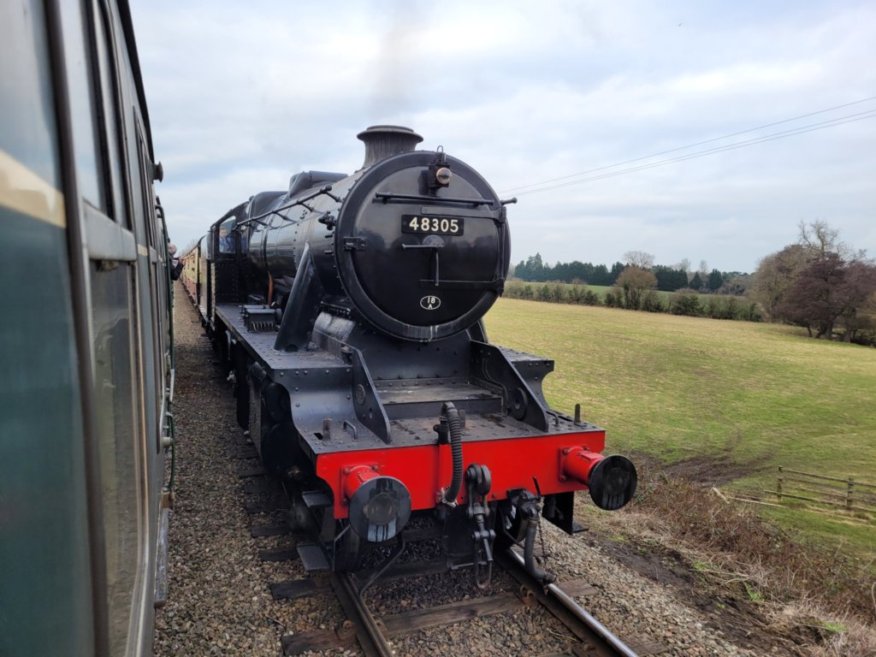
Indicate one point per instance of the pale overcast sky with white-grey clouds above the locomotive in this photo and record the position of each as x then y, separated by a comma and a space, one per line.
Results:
242, 95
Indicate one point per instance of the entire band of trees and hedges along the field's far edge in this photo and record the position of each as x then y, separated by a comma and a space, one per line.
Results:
819, 283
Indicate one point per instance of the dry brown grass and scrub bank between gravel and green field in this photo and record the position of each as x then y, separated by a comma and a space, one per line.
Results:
754, 582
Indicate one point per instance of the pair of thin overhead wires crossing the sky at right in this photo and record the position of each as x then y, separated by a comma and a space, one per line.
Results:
582, 176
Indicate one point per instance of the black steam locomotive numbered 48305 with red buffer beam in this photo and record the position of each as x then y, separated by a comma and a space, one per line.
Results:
348, 309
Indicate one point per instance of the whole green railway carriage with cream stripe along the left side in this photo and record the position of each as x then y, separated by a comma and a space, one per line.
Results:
86, 366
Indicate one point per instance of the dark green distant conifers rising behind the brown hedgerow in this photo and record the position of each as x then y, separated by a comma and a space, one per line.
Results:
669, 279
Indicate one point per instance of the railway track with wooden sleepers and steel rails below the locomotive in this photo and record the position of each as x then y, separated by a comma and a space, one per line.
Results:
374, 633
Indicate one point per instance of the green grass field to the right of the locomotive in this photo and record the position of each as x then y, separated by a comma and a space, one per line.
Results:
674, 387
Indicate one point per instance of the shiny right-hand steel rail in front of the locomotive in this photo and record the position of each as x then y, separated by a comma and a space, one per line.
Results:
565, 609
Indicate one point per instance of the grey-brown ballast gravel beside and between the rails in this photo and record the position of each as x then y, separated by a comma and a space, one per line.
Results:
219, 602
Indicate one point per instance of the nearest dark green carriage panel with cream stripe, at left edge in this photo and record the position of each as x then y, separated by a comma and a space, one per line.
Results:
45, 549
